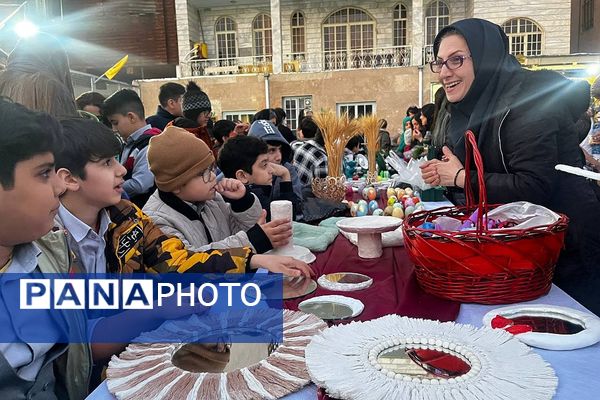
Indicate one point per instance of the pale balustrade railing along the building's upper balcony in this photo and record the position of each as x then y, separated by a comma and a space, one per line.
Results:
385, 57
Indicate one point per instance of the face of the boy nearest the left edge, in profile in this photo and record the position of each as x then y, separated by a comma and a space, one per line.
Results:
29, 207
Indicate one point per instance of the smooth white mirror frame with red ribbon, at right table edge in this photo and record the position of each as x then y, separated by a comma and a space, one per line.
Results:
588, 336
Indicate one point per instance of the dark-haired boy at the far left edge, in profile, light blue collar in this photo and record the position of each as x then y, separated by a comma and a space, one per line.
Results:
29, 190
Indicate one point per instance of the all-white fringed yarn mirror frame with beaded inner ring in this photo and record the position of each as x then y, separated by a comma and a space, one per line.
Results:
343, 360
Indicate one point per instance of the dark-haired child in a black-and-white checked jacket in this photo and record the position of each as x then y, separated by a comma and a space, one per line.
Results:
310, 158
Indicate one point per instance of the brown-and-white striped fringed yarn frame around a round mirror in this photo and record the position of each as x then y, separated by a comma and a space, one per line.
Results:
146, 371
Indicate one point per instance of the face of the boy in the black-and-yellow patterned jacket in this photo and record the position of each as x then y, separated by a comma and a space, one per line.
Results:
103, 183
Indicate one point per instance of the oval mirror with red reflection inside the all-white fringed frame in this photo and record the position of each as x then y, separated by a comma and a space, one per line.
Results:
423, 363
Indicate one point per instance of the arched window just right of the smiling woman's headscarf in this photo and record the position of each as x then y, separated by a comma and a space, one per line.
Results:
524, 36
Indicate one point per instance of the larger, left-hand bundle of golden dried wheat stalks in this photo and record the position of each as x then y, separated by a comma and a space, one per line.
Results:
336, 133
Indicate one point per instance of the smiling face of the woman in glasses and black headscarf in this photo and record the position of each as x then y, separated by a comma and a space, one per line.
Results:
456, 82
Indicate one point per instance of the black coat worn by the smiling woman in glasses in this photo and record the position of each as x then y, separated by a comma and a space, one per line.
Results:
533, 130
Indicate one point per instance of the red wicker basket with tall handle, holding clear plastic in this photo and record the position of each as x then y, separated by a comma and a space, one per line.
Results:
482, 266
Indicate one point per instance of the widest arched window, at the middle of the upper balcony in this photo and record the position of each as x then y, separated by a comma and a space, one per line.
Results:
348, 36
